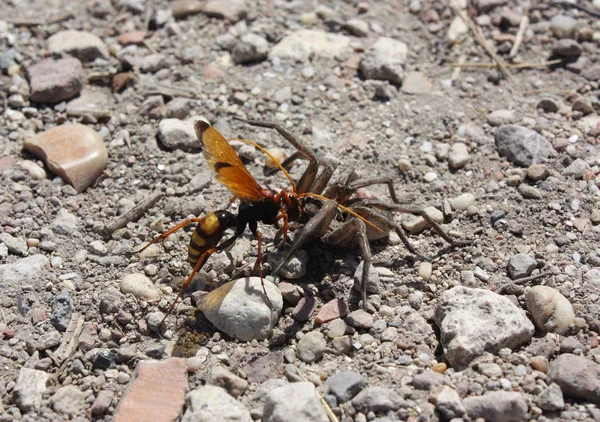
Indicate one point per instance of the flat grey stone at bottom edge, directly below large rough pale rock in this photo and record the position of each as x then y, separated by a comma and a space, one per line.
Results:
500, 406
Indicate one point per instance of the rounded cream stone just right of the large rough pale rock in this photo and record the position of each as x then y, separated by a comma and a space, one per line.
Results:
550, 310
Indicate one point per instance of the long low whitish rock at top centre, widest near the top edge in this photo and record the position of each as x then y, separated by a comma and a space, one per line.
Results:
305, 43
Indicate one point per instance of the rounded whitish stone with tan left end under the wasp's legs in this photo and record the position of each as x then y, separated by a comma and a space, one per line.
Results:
239, 309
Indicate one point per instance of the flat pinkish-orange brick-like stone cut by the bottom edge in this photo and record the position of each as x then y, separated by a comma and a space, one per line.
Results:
155, 393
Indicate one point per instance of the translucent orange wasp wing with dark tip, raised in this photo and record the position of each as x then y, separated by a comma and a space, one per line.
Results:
224, 161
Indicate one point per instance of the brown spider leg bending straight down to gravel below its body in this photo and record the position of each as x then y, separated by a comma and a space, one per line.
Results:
349, 233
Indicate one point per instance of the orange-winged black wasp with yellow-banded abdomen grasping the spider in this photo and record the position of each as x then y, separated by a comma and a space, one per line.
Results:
257, 204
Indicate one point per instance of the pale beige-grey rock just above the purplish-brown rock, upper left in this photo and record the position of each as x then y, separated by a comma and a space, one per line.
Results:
80, 44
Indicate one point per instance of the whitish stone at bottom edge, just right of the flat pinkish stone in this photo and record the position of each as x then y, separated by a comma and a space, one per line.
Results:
210, 403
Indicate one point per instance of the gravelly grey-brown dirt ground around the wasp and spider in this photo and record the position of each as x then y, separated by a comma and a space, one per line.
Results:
377, 127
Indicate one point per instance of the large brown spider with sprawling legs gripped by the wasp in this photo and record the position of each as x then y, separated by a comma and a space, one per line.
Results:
323, 222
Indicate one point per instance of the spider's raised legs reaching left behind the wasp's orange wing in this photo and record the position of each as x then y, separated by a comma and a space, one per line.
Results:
309, 182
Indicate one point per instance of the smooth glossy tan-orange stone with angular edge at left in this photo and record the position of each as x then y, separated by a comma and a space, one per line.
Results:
74, 152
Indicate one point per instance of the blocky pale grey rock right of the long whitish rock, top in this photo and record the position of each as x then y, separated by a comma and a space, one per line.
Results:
385, 60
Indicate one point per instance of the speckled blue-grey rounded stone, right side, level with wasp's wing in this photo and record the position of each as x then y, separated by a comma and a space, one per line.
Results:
522, 146
